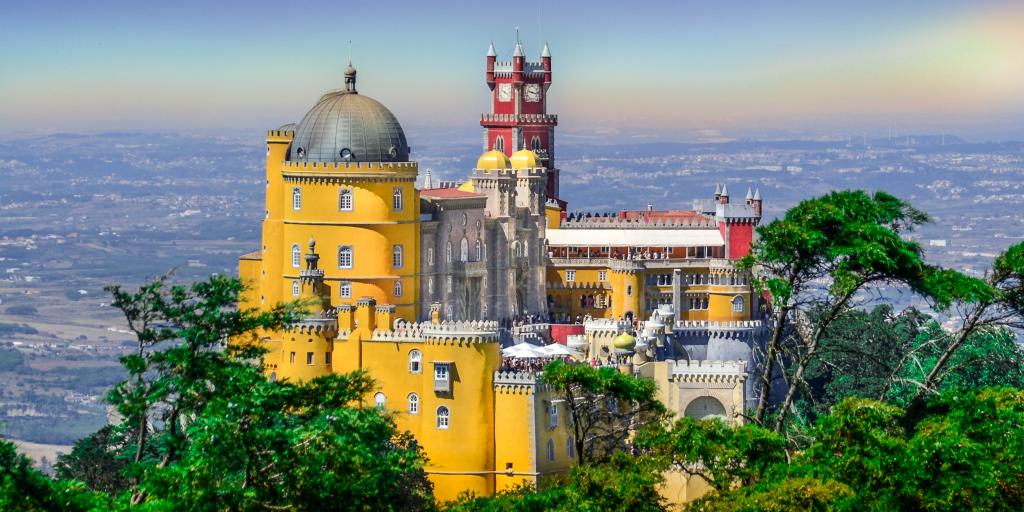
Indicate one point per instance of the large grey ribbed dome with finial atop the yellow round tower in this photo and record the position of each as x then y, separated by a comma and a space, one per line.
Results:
347, 126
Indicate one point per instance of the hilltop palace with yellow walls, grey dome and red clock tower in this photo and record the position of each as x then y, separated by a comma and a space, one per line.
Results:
449, 293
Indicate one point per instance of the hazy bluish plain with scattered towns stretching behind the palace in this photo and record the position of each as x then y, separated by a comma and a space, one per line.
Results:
80, 212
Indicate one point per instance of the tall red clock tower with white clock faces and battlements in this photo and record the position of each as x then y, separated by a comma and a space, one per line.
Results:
520, 118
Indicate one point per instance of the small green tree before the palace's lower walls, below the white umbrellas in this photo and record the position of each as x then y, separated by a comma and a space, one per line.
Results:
606, 407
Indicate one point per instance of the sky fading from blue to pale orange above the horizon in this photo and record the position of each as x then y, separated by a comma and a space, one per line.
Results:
622, 69
